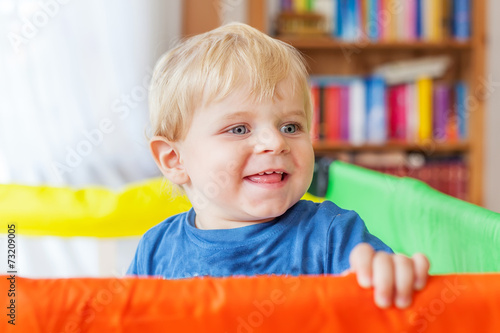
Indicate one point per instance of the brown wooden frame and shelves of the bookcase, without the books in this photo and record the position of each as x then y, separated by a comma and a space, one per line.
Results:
326, 55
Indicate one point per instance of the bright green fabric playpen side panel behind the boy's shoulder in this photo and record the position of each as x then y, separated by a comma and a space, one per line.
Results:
411, 217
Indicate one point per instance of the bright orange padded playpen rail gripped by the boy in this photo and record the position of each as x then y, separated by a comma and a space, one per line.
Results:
450, 303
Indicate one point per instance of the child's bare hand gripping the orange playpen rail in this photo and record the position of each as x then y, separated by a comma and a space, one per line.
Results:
394, 277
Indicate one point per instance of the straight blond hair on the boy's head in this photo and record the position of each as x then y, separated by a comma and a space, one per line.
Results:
207, 67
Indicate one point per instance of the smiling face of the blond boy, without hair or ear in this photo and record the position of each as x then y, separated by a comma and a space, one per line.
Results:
247, 161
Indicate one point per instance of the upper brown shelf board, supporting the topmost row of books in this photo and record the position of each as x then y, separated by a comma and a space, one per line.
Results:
327, 43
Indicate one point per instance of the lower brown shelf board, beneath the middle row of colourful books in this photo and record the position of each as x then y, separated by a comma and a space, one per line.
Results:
428, 147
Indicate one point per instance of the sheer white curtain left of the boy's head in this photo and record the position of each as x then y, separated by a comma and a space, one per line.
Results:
73, 88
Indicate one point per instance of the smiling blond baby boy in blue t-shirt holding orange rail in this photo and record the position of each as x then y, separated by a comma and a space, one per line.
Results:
231, 114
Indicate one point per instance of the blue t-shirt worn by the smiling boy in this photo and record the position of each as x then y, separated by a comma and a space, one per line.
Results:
310, 238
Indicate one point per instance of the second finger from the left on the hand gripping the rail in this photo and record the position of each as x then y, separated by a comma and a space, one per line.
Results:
383, 279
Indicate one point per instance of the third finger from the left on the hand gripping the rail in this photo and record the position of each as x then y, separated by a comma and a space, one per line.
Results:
404, 275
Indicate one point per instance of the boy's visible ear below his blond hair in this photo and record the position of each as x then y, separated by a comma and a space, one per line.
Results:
167, 157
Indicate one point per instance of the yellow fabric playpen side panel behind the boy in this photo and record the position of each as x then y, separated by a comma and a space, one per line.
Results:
92, 211
